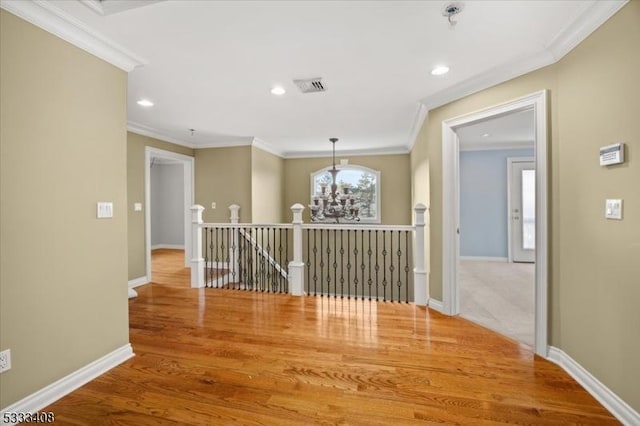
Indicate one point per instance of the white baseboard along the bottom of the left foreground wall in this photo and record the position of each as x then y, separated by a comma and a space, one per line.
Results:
53, 392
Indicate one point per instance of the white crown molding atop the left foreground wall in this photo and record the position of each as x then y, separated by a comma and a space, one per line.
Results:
54, 20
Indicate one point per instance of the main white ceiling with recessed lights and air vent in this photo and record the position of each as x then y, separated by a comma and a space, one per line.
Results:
210, 65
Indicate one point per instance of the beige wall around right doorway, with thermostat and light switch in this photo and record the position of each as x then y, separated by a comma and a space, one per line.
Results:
594, 268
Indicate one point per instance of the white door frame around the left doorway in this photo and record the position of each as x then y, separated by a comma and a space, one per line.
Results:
189, 178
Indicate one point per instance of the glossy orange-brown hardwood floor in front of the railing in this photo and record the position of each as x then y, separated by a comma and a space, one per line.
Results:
210, 356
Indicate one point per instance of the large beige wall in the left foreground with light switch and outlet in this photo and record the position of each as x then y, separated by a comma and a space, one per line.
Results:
63, 279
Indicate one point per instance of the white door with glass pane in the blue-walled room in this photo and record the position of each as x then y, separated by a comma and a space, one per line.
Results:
522, 210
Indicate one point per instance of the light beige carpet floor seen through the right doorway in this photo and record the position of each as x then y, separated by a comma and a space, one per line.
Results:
499, 296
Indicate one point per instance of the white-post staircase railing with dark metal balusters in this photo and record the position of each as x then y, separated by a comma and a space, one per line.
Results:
375, 262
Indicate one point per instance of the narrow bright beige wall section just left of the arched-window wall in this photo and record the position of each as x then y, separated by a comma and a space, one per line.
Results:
267, 186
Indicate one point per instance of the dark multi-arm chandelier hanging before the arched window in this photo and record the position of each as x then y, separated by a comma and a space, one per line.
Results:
338, 204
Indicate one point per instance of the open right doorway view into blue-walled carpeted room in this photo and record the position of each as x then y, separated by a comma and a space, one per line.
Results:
497, 224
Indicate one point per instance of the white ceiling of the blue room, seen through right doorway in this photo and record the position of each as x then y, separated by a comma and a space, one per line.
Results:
513, 130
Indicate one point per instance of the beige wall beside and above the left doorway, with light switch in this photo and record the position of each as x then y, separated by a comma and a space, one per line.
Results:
135, 193
